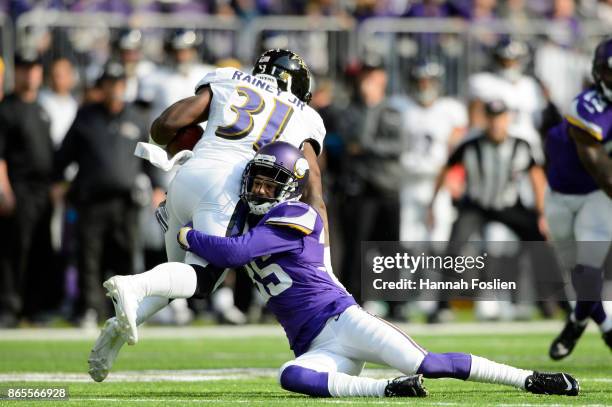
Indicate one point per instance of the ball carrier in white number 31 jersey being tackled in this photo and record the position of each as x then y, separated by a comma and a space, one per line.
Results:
243, 113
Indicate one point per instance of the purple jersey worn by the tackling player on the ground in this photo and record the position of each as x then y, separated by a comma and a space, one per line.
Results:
283, 254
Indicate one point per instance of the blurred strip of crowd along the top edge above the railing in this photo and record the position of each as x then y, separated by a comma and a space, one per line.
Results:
473, 10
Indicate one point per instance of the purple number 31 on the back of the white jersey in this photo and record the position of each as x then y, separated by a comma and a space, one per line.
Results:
253, 105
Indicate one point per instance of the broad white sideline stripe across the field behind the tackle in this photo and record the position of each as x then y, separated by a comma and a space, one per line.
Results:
472, 328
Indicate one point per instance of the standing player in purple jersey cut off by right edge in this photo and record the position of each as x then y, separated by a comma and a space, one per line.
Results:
579, 204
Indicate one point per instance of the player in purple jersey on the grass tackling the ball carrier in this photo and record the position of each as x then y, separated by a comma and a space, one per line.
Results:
282, 250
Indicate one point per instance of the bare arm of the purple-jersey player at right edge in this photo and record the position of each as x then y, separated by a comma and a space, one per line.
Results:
594, 158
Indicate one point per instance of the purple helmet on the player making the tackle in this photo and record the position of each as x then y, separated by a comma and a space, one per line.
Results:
279, 165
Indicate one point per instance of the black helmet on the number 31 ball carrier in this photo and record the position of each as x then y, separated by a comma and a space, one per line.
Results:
289, 70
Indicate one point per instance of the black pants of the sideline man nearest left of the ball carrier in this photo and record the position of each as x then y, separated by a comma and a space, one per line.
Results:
107, 233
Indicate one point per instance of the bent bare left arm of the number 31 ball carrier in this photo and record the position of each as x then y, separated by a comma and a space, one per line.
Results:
185, 112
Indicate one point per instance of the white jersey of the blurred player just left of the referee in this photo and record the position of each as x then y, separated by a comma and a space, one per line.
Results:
427, 131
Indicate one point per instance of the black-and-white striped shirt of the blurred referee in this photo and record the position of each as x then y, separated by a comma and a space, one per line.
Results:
493, 171
